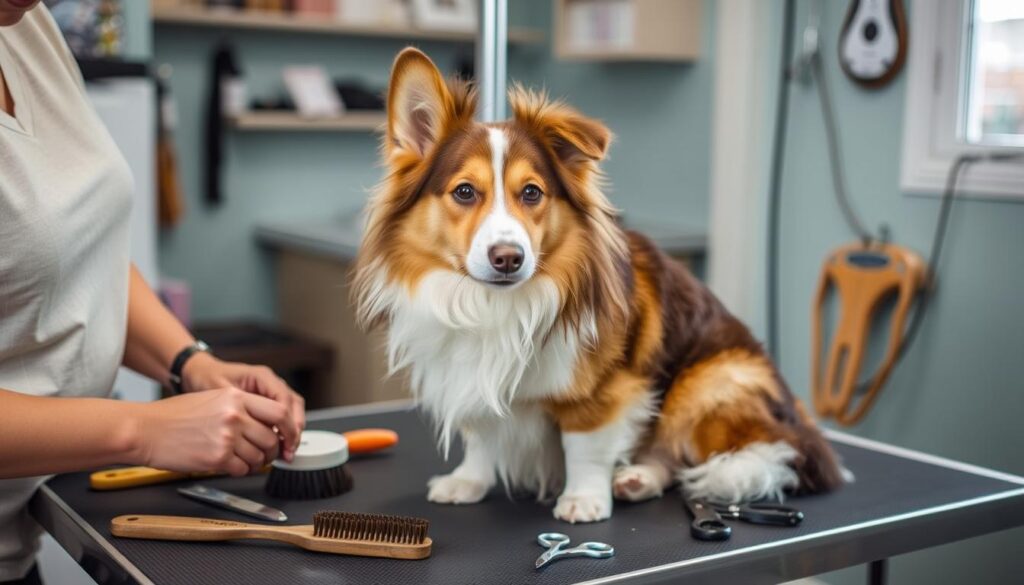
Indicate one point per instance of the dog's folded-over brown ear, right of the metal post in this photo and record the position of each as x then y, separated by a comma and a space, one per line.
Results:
575, 139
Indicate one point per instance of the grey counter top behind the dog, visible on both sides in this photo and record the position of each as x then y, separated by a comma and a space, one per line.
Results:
339, 238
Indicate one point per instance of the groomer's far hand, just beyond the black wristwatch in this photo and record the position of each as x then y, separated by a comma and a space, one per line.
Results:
204, 372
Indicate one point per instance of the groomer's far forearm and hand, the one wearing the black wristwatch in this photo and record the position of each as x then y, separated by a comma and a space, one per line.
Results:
156, 337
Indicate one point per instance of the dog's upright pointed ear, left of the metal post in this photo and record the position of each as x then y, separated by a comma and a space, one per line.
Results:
420, 106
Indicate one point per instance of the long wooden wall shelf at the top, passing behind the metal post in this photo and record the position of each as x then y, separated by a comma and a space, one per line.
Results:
254, 20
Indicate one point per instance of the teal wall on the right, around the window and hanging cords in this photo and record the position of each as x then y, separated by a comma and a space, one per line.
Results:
960, 393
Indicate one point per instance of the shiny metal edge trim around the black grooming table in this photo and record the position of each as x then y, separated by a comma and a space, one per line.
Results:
787, 553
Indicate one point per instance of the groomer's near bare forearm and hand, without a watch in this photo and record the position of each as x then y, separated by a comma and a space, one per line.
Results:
222, 431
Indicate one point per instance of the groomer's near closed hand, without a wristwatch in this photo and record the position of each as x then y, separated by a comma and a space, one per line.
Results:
227, 431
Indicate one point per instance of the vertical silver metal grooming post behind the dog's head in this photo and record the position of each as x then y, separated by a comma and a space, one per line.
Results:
492, 59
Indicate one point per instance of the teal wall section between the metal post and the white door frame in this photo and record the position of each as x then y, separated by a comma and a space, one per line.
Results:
661, 114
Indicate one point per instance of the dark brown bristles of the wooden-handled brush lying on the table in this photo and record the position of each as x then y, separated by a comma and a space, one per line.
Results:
382, 528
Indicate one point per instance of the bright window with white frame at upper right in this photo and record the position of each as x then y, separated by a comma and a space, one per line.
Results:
966, 93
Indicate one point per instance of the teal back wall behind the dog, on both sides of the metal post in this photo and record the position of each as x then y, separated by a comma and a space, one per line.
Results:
659, 165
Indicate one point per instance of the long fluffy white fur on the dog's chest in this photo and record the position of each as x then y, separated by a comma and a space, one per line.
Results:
474, 352
